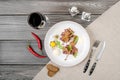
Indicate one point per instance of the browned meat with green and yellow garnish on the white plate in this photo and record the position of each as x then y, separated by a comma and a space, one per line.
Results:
66, 42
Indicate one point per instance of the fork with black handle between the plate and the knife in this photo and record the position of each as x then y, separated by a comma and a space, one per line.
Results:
95, 45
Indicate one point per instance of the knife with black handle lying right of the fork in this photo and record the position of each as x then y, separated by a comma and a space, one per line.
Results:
101, 48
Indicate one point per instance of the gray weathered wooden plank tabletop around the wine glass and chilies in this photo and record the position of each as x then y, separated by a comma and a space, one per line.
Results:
16, 63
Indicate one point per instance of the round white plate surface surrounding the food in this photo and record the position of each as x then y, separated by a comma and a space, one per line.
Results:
83, 43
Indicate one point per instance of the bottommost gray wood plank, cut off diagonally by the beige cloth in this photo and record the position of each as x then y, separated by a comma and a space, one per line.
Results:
19, 72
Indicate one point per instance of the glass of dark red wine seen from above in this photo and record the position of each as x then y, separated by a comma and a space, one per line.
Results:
37, 20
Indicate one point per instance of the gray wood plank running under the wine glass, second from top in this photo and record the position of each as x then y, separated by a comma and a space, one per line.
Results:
17, 28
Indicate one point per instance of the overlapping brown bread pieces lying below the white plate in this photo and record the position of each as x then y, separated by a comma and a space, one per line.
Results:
52, 70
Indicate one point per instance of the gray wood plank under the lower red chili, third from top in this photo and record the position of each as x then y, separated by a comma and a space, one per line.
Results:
16, 52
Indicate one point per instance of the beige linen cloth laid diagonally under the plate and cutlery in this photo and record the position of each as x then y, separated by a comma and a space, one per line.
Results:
106, 27
